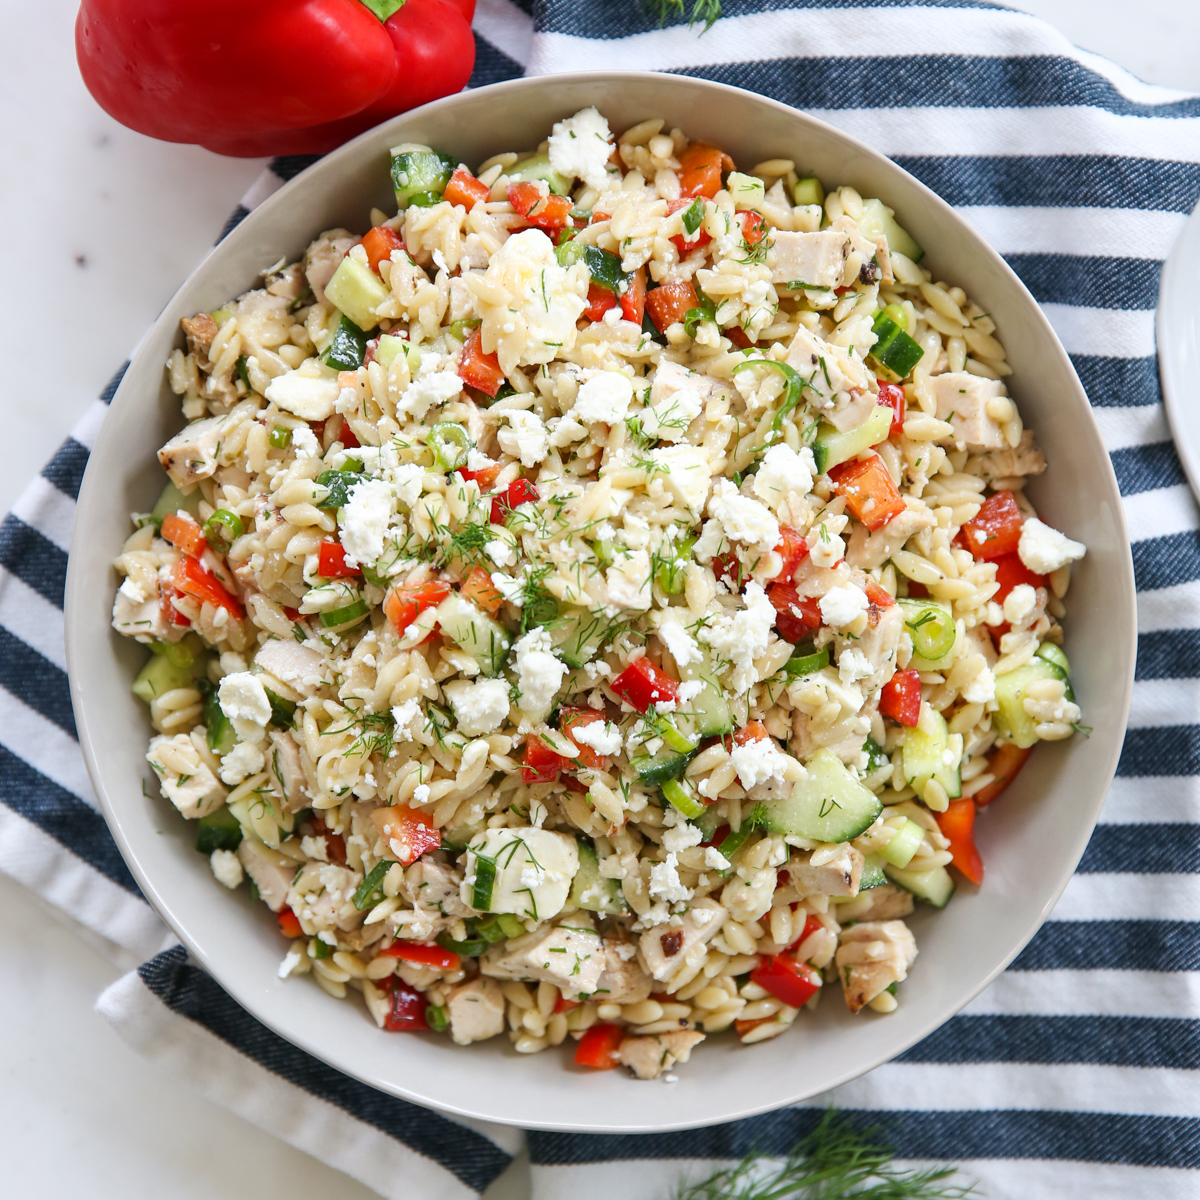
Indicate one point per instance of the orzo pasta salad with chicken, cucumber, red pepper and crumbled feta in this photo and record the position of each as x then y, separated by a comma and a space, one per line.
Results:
593, 605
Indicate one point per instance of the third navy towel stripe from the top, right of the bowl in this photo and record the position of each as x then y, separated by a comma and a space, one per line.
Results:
1096, 182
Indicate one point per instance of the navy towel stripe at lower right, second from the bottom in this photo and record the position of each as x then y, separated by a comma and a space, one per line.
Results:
1171, 1043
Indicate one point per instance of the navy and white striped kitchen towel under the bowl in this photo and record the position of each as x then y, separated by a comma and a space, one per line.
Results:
1077, 1072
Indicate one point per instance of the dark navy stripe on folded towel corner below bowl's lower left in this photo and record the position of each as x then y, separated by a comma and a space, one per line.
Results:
191, 993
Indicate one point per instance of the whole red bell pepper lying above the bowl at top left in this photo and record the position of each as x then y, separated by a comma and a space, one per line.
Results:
263, 77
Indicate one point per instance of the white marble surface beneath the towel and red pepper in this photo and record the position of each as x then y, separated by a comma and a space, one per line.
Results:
101, 227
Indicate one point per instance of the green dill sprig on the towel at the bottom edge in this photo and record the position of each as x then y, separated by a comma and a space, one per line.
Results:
836, 1162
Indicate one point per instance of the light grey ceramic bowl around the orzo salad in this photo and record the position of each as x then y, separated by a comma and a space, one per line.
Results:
1031, 839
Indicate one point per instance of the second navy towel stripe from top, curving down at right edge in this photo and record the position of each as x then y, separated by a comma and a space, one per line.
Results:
937, 81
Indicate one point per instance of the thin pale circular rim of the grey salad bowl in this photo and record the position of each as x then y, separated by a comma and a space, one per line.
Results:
76, 589
